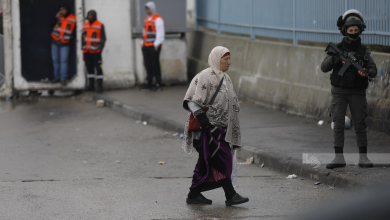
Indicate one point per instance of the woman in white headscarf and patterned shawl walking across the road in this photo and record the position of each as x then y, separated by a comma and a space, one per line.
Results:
213, 129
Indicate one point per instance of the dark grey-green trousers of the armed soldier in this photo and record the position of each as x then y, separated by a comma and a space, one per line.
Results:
358, 106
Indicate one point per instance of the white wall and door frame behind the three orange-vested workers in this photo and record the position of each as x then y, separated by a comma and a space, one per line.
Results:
122, 56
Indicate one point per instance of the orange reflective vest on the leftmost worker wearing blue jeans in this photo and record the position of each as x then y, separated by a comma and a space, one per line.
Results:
64, 28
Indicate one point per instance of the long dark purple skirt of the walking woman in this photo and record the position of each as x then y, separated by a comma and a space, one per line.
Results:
215, 159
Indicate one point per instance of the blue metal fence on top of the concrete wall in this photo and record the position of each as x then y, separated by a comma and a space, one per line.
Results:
298, 20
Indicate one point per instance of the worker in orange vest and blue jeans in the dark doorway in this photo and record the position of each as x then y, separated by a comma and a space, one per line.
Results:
63, 33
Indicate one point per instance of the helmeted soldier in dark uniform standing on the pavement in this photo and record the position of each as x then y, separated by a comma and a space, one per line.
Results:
350, 89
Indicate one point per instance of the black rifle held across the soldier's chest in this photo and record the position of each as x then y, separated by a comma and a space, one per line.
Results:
349, 59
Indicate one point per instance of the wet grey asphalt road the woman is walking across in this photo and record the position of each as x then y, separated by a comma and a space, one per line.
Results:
61, 158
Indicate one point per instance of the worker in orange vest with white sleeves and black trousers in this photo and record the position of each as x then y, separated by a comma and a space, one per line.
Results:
153, 37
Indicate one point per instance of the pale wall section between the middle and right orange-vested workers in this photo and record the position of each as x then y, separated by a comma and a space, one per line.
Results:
118, 56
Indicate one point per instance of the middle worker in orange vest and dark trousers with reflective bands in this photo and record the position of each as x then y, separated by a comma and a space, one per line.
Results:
93, 40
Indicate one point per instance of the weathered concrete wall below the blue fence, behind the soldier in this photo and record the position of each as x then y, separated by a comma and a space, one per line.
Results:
287, 77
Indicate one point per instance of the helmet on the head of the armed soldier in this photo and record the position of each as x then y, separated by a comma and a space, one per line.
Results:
355, 19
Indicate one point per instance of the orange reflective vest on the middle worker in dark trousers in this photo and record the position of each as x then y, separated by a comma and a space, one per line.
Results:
92, 37
